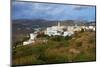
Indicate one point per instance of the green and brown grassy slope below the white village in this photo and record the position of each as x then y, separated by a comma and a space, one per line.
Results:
77, 48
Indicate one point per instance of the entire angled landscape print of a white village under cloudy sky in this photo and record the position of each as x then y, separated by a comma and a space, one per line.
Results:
51, 33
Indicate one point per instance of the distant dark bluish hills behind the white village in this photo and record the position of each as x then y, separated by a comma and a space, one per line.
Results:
27, 25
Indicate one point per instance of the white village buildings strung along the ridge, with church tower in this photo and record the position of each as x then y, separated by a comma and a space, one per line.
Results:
58, 30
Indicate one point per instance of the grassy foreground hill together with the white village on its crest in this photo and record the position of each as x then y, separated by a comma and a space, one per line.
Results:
56, 44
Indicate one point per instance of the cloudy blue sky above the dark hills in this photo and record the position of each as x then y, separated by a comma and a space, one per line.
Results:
30, 10
